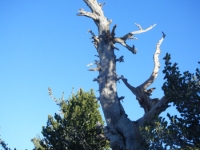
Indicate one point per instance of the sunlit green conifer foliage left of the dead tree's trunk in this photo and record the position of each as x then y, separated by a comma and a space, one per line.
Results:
80, 125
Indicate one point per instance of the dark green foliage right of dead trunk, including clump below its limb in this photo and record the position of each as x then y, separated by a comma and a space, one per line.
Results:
182, 132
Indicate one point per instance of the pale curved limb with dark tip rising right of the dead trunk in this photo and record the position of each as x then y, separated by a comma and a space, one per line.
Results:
154, 74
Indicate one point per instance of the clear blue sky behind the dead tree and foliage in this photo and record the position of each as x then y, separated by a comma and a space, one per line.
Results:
44, 44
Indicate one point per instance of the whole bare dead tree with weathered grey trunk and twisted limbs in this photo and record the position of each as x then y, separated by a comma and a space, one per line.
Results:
120, 130
